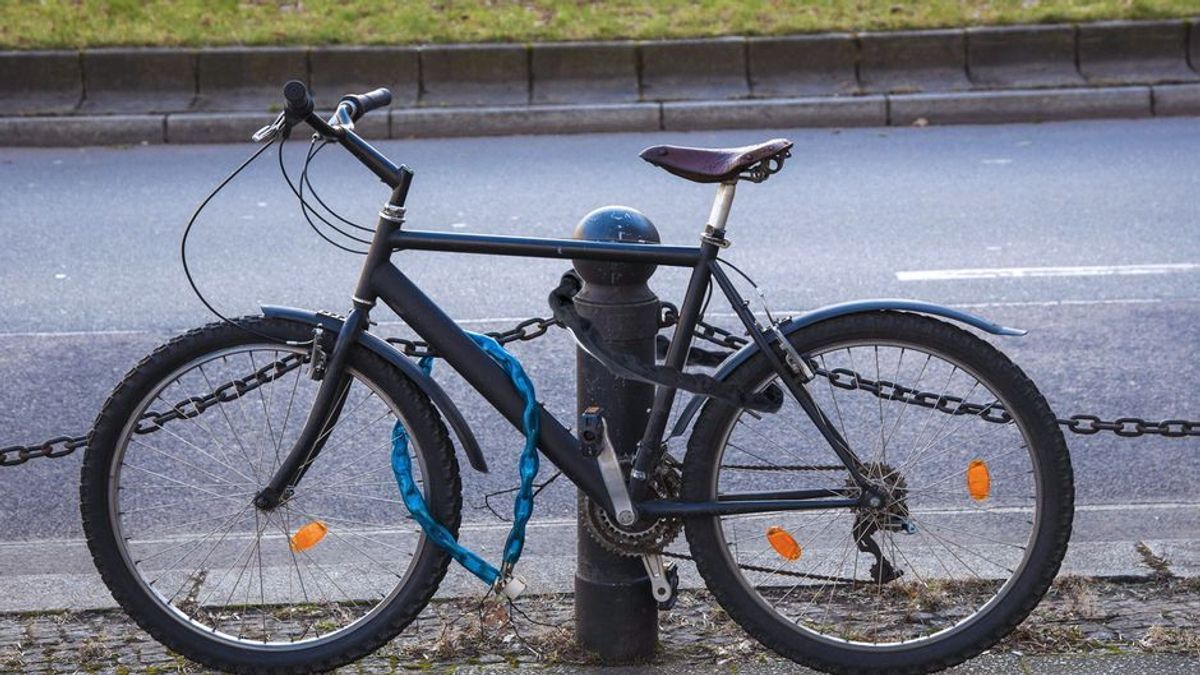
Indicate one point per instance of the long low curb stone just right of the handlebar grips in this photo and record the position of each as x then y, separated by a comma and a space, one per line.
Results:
422, 123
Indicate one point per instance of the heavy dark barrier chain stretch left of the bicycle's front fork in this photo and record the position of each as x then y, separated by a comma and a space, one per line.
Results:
153, 421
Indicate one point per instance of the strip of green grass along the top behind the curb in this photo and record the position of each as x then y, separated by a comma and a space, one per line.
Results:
27, 25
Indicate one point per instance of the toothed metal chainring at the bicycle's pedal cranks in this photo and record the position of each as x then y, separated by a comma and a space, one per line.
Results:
647, 536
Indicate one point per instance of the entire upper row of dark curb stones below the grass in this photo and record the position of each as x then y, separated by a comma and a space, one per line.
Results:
1109, 53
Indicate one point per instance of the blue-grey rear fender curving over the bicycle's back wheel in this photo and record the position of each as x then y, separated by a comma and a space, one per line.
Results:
831, 312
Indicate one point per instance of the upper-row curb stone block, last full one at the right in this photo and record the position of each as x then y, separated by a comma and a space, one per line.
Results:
1135, 53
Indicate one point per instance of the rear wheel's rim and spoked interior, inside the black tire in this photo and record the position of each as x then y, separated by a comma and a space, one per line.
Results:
949, 584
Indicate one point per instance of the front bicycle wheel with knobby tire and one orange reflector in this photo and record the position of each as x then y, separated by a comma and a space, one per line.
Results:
328, 577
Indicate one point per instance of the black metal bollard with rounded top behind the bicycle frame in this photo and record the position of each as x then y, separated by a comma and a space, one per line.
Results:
616, 616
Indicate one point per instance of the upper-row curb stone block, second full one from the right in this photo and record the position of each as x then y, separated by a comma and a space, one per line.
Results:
1023, 57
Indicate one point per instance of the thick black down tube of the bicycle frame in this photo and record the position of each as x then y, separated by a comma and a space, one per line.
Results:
477, 368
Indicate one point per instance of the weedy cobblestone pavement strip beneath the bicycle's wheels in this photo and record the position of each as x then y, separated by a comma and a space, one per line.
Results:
1096, 625
